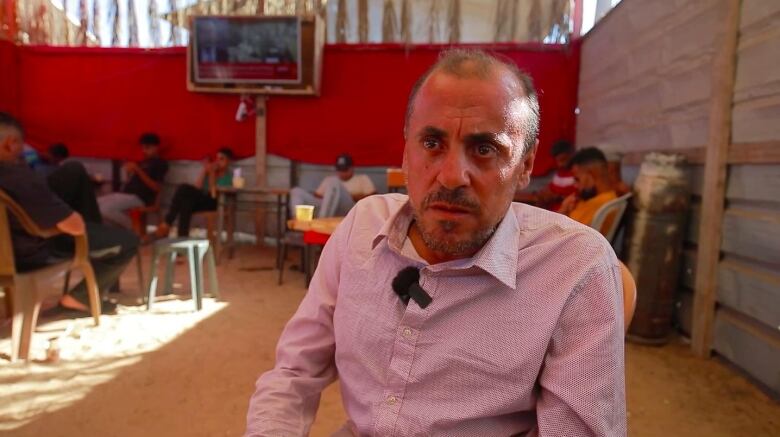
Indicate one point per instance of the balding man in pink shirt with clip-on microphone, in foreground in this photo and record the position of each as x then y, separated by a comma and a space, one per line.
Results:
500, 334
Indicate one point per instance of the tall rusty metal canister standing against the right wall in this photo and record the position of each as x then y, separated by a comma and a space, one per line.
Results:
654, 243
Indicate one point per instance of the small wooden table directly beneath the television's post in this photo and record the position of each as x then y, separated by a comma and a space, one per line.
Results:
227, 208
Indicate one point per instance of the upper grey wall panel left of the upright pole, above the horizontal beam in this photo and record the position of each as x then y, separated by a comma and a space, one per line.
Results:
645, 76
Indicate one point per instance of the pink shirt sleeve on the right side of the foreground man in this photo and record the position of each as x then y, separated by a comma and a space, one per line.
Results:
582, 384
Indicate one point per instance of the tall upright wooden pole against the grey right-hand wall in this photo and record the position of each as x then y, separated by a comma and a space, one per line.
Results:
716, 154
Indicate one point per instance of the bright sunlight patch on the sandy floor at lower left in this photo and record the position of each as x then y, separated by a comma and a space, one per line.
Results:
88, 355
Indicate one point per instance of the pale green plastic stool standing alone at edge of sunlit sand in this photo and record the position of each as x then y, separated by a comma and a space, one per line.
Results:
197, 251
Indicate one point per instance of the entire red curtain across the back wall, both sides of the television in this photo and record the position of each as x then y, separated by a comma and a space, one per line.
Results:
98, 101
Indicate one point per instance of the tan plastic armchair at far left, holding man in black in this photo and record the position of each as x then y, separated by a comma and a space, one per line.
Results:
21, 293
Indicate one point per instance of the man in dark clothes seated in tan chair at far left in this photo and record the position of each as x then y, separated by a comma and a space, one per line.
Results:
114, 248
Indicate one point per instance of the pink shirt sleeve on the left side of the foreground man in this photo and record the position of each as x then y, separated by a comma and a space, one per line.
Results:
287, 397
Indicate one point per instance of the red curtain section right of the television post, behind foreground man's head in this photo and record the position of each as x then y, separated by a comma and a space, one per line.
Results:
364, 94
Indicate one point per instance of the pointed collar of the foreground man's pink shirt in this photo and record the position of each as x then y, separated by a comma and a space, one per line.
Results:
498, 257
